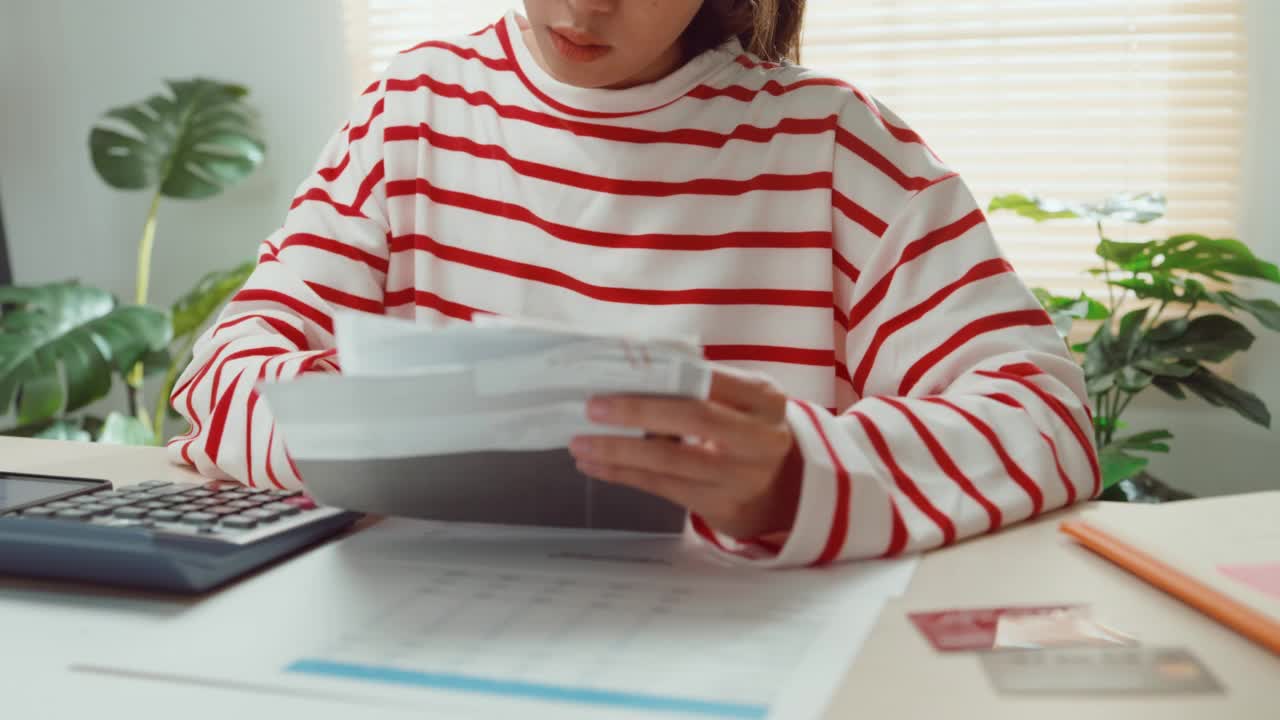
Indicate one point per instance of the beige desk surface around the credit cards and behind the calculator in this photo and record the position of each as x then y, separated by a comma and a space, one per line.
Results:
898, 675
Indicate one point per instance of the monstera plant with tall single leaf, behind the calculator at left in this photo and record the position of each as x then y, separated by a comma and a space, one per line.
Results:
63, 345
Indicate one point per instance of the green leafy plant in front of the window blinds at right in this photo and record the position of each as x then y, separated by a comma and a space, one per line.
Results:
1167, 325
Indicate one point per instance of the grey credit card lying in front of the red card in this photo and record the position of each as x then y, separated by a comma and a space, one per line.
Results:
1099, 671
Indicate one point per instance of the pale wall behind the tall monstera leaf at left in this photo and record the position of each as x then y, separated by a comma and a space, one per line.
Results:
65, 62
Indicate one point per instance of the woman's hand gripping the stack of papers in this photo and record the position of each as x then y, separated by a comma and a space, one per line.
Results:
721, 458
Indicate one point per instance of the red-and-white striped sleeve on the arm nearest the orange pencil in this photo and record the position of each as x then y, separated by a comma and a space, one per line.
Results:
964, 413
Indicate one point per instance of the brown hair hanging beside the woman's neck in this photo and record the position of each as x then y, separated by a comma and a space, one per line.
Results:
767, 29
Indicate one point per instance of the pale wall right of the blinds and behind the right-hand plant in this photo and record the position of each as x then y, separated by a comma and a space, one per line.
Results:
1215, 452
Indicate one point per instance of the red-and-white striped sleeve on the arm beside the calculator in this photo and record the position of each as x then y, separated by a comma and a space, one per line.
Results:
331, 253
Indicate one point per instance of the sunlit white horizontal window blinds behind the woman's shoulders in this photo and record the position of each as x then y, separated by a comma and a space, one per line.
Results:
1075, 99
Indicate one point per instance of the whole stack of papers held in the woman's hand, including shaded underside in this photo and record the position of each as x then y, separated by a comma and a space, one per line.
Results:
473, 422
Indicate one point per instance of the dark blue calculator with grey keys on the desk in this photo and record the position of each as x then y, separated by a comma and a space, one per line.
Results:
163, 536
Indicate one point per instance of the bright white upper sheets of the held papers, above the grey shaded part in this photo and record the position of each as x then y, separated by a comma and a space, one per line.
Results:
410, 391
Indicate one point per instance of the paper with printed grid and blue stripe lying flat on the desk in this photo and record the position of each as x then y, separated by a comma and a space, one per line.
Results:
502, 622
